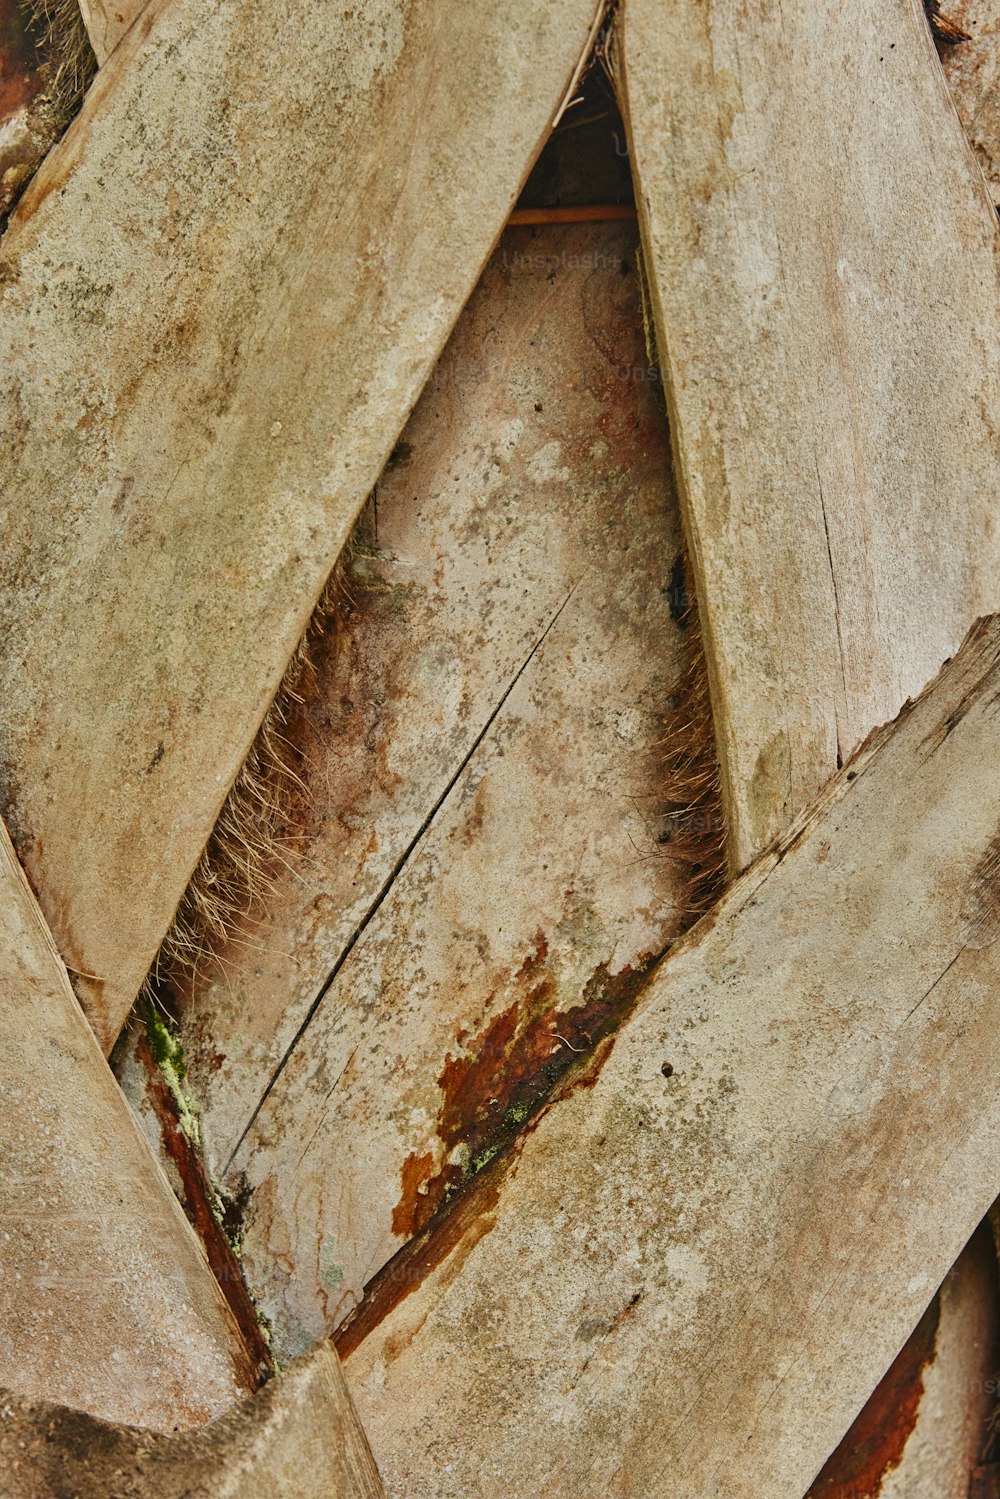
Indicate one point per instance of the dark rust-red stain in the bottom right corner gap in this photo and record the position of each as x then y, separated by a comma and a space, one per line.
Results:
876, 1441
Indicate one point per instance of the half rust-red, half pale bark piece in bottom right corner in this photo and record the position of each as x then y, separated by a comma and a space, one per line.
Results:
923, 1432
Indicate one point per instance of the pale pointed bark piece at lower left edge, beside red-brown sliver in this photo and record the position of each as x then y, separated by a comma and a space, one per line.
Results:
106, 1299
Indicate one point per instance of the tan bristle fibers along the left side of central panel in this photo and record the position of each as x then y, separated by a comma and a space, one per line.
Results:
254, 830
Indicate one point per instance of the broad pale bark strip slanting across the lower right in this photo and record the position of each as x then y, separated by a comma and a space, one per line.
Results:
692, 1282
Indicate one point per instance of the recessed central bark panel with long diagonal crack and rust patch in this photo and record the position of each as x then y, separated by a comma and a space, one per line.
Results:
485, 879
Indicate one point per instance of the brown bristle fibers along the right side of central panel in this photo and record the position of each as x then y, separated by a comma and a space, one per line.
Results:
695, 830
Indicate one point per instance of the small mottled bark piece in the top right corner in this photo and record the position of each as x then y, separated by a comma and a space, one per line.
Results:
974, 77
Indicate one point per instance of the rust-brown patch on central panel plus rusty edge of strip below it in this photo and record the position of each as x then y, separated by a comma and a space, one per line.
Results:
525, 1059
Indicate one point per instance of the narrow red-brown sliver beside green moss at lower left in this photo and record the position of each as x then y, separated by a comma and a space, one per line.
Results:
197, 1203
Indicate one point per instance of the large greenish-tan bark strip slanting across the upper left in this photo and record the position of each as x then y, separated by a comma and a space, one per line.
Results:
220, 301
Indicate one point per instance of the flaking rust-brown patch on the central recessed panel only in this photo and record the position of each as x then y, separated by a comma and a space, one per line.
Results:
501, 1080
